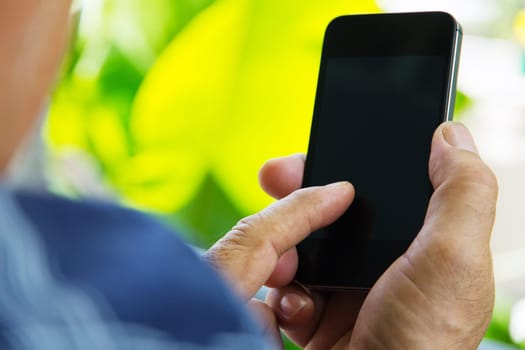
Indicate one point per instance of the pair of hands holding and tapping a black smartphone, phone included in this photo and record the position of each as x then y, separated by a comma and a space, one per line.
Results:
380, 97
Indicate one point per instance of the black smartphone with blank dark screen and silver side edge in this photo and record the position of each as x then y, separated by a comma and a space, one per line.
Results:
386, 82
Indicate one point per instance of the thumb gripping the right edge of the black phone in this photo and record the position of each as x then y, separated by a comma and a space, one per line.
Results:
462, 208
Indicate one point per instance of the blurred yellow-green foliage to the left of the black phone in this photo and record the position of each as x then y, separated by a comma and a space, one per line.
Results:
180, 102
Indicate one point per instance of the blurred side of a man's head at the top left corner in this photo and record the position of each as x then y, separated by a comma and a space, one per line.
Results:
32, 38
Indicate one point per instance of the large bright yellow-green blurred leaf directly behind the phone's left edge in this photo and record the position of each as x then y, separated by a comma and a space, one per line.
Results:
237, 86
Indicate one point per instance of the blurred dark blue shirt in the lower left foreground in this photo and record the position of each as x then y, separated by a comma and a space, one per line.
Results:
136, 271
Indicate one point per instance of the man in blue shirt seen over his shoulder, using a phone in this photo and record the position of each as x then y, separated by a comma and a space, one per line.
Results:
438, 295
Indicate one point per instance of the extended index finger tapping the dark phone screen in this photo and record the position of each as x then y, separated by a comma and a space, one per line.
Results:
250, 252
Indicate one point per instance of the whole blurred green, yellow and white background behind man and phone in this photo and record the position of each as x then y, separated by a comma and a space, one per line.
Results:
172, 106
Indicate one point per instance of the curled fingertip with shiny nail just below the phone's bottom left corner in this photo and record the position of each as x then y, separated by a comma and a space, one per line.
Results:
297, 311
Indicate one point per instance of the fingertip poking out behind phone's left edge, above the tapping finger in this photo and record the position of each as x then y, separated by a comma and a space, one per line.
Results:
281, 176
